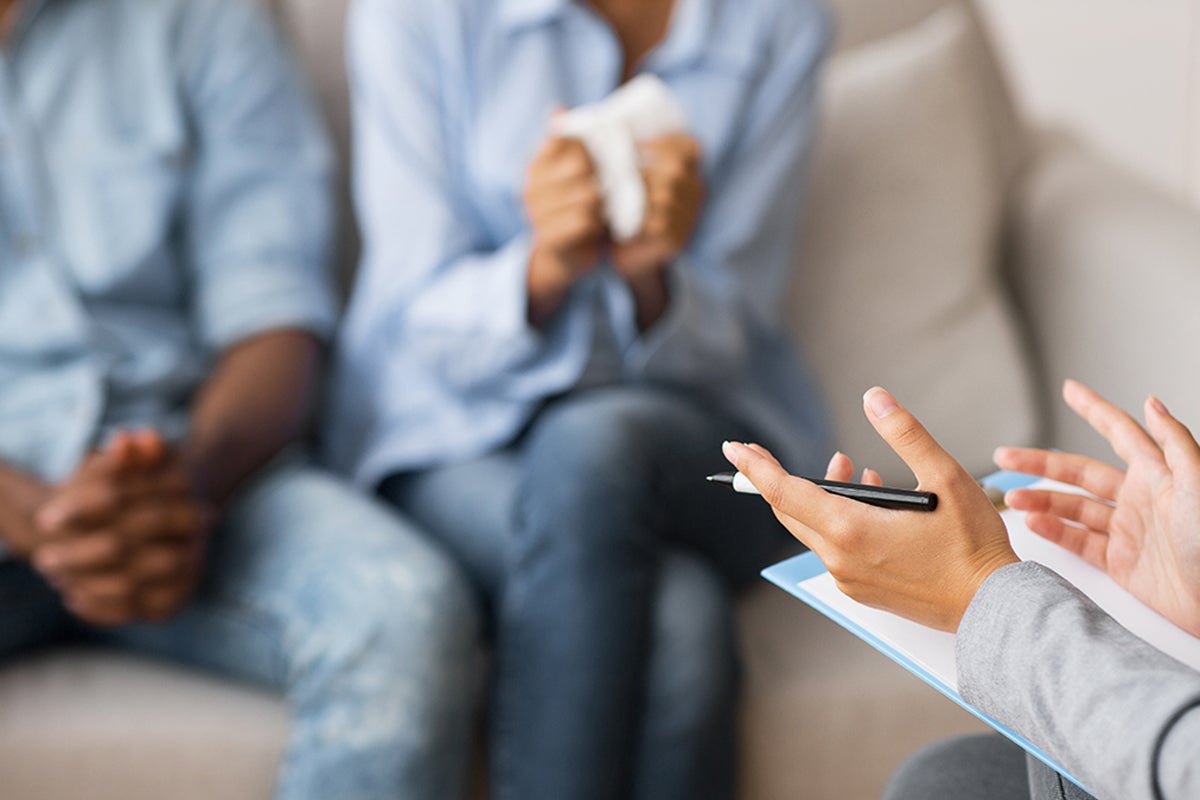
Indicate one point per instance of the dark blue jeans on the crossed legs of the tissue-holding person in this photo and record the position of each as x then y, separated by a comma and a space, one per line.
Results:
607, 562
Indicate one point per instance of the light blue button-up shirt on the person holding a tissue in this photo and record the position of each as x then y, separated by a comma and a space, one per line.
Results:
452, 100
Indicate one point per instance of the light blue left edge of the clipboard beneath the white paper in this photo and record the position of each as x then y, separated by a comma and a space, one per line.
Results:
788, 576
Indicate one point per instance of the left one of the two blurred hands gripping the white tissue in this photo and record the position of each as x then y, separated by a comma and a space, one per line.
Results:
567, 219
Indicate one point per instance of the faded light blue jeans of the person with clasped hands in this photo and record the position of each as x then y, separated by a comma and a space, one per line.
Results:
332, 599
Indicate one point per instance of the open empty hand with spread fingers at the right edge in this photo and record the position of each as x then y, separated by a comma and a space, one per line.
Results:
1144, 531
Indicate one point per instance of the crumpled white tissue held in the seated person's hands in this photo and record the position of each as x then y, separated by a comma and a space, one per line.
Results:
643, 110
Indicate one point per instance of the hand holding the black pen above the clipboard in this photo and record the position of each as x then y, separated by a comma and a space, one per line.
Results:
923, 567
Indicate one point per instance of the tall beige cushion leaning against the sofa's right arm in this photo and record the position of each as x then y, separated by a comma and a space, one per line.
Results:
898, 278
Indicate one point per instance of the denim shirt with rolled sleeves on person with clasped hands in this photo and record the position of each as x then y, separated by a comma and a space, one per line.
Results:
164, 195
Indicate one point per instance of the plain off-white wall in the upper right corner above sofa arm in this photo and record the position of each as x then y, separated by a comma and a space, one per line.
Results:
1124, 74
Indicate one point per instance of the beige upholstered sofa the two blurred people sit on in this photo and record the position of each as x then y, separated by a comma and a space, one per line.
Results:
950, 254
